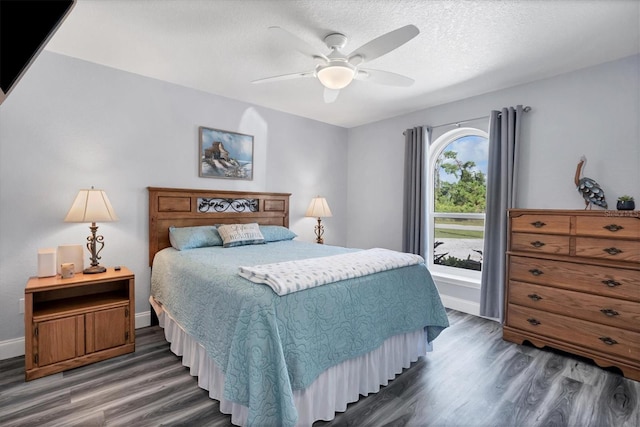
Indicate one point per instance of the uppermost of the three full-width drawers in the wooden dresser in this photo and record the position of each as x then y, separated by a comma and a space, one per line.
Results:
606, 281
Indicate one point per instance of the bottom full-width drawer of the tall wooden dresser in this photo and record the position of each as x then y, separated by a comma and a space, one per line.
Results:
591, 336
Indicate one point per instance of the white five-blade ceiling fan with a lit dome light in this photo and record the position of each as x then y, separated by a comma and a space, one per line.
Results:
337, 70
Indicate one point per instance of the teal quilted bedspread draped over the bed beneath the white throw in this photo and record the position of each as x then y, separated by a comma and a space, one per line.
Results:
268, 345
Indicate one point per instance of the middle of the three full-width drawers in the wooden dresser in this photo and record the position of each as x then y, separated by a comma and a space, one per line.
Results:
608, 311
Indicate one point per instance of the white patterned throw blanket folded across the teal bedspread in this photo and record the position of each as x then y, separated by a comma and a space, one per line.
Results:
291, 276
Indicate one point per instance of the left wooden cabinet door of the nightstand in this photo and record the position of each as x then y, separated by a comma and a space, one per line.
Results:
57, 340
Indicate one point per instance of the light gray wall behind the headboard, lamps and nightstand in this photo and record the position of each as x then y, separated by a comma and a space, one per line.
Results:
71, 124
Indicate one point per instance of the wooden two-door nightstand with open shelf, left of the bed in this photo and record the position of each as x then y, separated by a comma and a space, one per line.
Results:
76, 321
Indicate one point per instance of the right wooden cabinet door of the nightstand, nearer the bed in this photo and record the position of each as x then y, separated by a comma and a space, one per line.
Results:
107, 329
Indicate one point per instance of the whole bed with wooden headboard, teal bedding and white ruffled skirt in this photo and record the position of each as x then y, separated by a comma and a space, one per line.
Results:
272, 356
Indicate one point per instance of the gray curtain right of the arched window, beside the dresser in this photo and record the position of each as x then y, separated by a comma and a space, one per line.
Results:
504, 136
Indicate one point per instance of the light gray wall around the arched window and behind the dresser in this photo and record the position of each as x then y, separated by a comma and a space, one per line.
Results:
593, 112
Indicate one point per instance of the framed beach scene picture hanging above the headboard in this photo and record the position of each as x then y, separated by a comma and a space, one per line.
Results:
225, 154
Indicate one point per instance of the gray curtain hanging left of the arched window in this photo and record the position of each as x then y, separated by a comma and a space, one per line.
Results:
414, 227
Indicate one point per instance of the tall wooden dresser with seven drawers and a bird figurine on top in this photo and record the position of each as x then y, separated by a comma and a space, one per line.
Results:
573, 283
